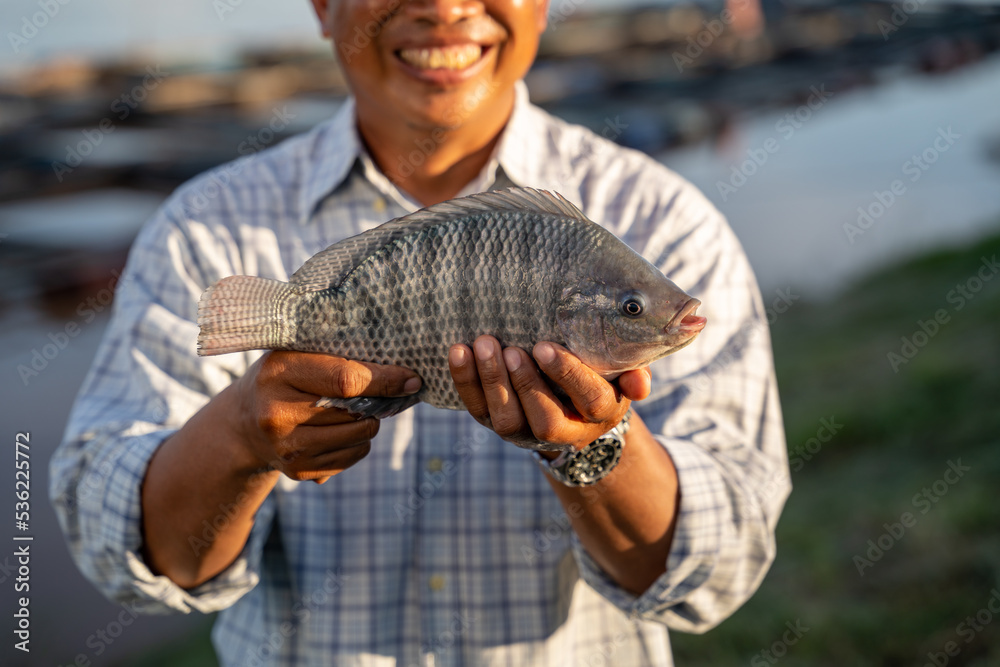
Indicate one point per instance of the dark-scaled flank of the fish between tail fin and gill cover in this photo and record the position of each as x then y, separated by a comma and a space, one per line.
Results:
416, 295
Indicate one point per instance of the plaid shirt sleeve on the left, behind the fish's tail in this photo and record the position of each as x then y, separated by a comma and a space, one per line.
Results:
147, 381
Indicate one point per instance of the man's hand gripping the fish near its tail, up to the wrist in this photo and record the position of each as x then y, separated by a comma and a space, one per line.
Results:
283, 430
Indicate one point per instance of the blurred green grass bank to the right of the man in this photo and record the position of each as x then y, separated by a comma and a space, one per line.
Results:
900, 429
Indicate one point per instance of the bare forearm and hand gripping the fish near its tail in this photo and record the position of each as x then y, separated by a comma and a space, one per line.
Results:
259, 427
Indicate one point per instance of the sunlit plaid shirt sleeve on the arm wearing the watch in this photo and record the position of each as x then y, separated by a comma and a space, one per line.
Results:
715, 409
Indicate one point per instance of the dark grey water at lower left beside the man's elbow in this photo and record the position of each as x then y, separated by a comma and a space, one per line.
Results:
67, 612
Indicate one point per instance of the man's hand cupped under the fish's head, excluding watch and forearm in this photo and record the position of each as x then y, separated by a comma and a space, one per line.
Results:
507, 392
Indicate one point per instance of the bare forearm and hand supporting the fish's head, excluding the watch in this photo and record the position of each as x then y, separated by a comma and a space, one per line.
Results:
627, 522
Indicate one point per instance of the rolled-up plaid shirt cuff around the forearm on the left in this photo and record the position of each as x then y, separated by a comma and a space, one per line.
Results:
114, 559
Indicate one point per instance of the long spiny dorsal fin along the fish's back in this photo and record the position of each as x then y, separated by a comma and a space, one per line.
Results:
328, 268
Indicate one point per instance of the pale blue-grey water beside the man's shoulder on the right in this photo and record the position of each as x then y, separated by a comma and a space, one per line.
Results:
791, 211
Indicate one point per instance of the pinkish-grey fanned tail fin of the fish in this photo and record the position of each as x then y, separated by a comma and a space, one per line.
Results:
242, 313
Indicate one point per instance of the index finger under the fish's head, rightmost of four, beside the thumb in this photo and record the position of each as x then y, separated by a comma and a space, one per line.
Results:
593, 397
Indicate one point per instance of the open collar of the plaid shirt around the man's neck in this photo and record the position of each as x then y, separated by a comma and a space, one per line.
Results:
515, 160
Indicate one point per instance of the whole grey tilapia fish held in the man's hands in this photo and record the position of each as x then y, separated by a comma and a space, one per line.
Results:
523, 265
